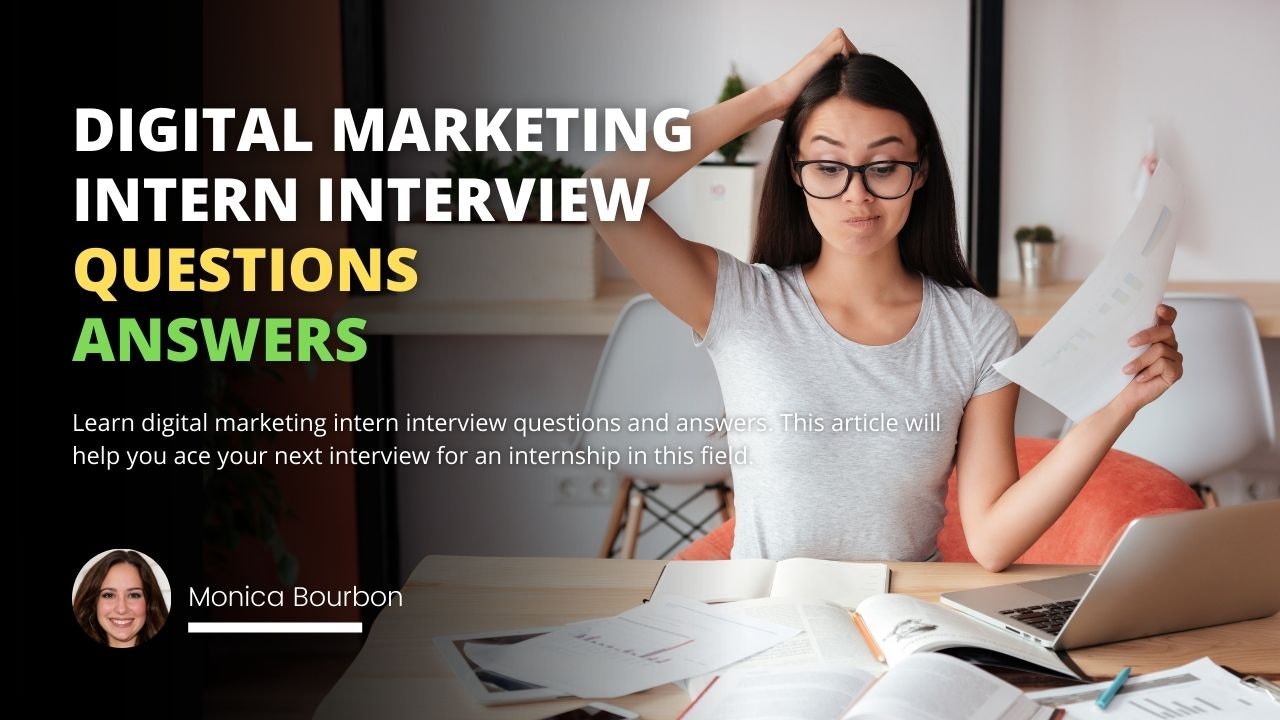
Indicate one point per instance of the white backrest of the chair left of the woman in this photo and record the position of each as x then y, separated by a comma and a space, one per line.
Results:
651, 371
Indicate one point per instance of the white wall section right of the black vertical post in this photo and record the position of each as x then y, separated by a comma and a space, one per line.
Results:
1082, 81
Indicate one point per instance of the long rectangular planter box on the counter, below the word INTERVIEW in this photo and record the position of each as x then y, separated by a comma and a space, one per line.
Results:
493, 262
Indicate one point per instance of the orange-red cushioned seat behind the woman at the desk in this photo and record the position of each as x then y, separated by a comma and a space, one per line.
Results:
1122, 489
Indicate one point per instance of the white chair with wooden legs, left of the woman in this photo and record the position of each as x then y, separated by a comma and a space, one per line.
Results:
652, 371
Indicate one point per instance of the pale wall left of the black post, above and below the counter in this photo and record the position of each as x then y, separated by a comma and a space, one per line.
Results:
588, 53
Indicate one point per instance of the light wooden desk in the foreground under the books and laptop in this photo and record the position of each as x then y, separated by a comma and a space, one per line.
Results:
400, 675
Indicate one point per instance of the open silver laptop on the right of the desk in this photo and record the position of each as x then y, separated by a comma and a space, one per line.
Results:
1168, 573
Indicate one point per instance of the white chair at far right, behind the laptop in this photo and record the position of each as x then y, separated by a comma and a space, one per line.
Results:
1220, 412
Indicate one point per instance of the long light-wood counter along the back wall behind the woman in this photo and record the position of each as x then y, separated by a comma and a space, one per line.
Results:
401, 316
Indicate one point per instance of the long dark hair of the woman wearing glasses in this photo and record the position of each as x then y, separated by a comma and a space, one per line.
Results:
930, 243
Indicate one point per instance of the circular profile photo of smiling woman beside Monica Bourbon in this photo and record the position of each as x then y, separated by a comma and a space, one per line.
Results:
121, 599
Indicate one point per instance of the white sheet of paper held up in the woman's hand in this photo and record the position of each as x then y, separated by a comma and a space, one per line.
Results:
1075, 363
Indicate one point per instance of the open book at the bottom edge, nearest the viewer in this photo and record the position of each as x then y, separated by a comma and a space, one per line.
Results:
924, 687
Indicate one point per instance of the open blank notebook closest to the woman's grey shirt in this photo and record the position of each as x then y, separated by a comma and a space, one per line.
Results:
799, 578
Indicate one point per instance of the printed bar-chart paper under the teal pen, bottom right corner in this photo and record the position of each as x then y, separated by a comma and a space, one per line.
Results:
1196, 690
